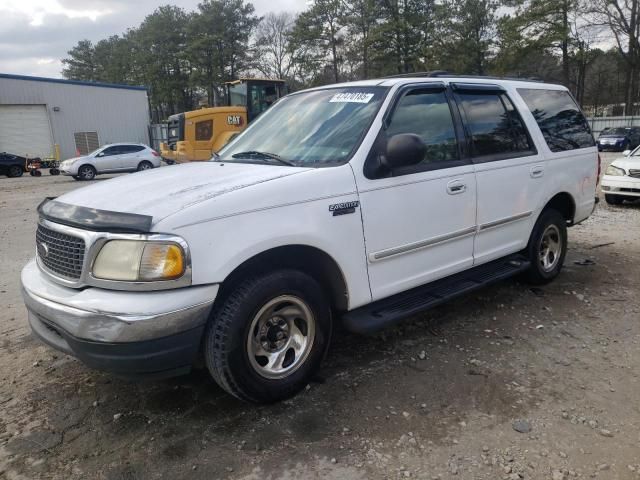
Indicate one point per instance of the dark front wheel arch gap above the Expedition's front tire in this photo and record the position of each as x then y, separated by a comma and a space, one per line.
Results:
311, 260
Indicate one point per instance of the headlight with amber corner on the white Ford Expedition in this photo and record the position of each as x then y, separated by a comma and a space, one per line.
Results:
139, 261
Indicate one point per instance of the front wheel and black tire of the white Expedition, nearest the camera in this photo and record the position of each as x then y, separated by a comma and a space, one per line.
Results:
268, 335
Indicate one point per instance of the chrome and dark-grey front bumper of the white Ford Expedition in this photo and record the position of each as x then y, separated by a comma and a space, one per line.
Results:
131, 334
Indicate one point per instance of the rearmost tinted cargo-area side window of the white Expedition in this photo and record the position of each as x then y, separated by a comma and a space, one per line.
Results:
559, 118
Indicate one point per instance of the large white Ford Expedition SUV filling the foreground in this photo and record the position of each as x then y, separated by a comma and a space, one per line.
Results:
362, 203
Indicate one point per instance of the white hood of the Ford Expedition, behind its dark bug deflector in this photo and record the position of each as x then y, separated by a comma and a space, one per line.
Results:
163, 191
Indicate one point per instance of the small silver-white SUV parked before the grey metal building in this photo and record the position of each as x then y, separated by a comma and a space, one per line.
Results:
112, 158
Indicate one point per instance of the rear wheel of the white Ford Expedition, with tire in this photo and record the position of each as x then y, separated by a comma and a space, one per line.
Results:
547, 247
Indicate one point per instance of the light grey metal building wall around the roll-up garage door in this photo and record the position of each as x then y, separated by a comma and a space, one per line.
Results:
117, 113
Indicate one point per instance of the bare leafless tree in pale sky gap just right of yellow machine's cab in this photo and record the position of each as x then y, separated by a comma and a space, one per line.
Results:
273, 45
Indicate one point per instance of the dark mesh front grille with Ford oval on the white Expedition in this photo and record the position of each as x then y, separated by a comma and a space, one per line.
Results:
61, 253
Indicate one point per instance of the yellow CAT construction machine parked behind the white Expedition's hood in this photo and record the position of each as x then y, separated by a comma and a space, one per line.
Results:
196, 135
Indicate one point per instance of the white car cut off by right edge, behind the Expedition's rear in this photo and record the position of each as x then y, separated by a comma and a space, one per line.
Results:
621, 180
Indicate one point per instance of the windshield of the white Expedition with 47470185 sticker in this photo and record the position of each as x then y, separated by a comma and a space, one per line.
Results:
310, 129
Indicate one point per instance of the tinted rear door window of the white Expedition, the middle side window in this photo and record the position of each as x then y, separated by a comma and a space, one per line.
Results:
495, 127
